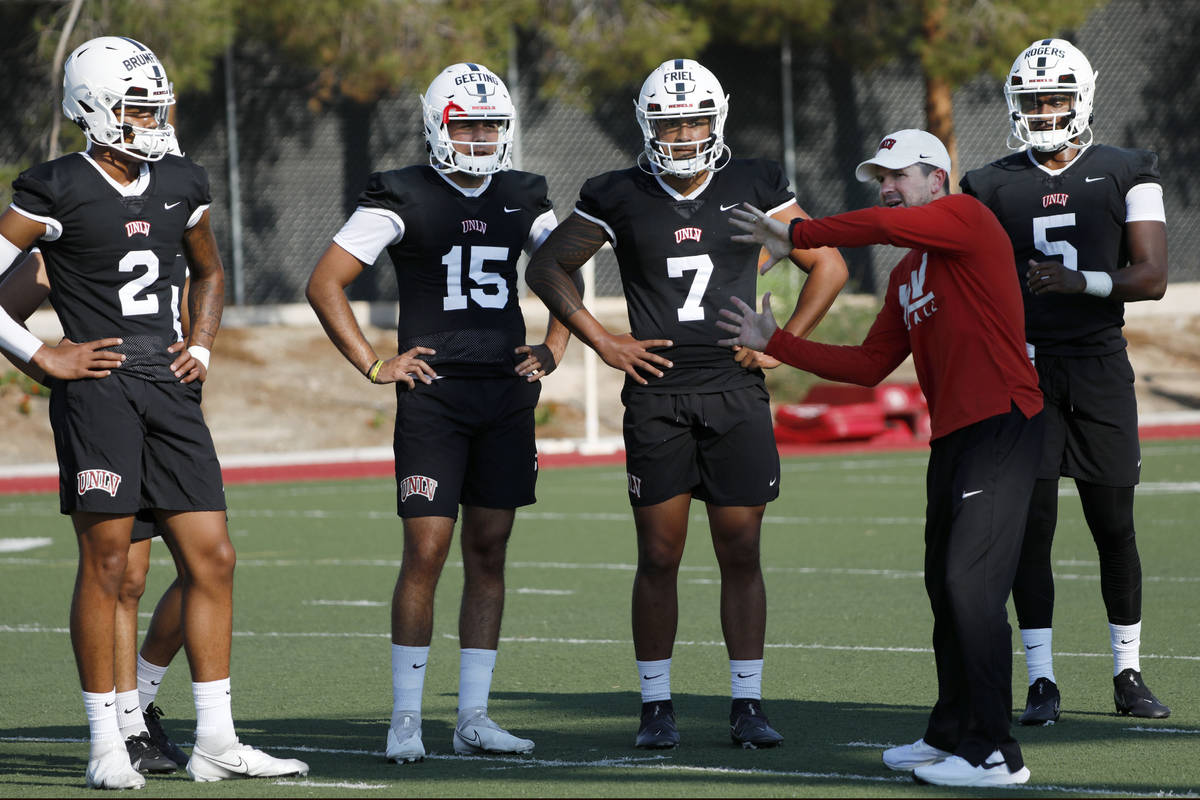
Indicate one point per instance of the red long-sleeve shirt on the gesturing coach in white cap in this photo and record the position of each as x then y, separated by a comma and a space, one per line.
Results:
953, 302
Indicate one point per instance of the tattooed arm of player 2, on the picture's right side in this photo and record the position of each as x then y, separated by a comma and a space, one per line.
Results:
206, 298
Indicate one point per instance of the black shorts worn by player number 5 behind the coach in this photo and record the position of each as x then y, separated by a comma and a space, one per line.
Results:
1091, 412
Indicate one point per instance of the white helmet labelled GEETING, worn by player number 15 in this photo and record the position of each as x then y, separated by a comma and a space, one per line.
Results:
469, 92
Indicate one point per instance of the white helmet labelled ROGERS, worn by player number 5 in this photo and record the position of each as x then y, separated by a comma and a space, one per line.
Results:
1047, 67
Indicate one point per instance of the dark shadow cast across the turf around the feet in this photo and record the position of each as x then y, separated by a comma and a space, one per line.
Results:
589, 738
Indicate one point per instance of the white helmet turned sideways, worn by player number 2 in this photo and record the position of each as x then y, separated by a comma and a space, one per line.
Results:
106, 76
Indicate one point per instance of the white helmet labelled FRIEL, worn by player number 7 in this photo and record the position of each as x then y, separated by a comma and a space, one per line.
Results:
682, 88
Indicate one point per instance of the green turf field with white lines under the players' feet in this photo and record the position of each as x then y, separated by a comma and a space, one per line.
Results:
849, 663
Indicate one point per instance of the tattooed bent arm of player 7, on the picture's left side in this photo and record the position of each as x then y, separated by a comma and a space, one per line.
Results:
551, 275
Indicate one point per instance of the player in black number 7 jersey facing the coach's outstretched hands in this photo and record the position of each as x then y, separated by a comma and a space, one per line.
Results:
697, 418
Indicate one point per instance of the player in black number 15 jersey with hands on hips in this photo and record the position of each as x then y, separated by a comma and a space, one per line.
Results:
466, 382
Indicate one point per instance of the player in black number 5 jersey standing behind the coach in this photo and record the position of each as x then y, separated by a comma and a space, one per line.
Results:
1090, 234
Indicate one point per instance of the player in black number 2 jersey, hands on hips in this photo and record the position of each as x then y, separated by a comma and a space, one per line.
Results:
128, 425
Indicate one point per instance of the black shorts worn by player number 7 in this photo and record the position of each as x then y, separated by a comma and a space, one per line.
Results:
717, 447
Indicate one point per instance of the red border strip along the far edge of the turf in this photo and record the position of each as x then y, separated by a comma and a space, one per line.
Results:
350, 471
